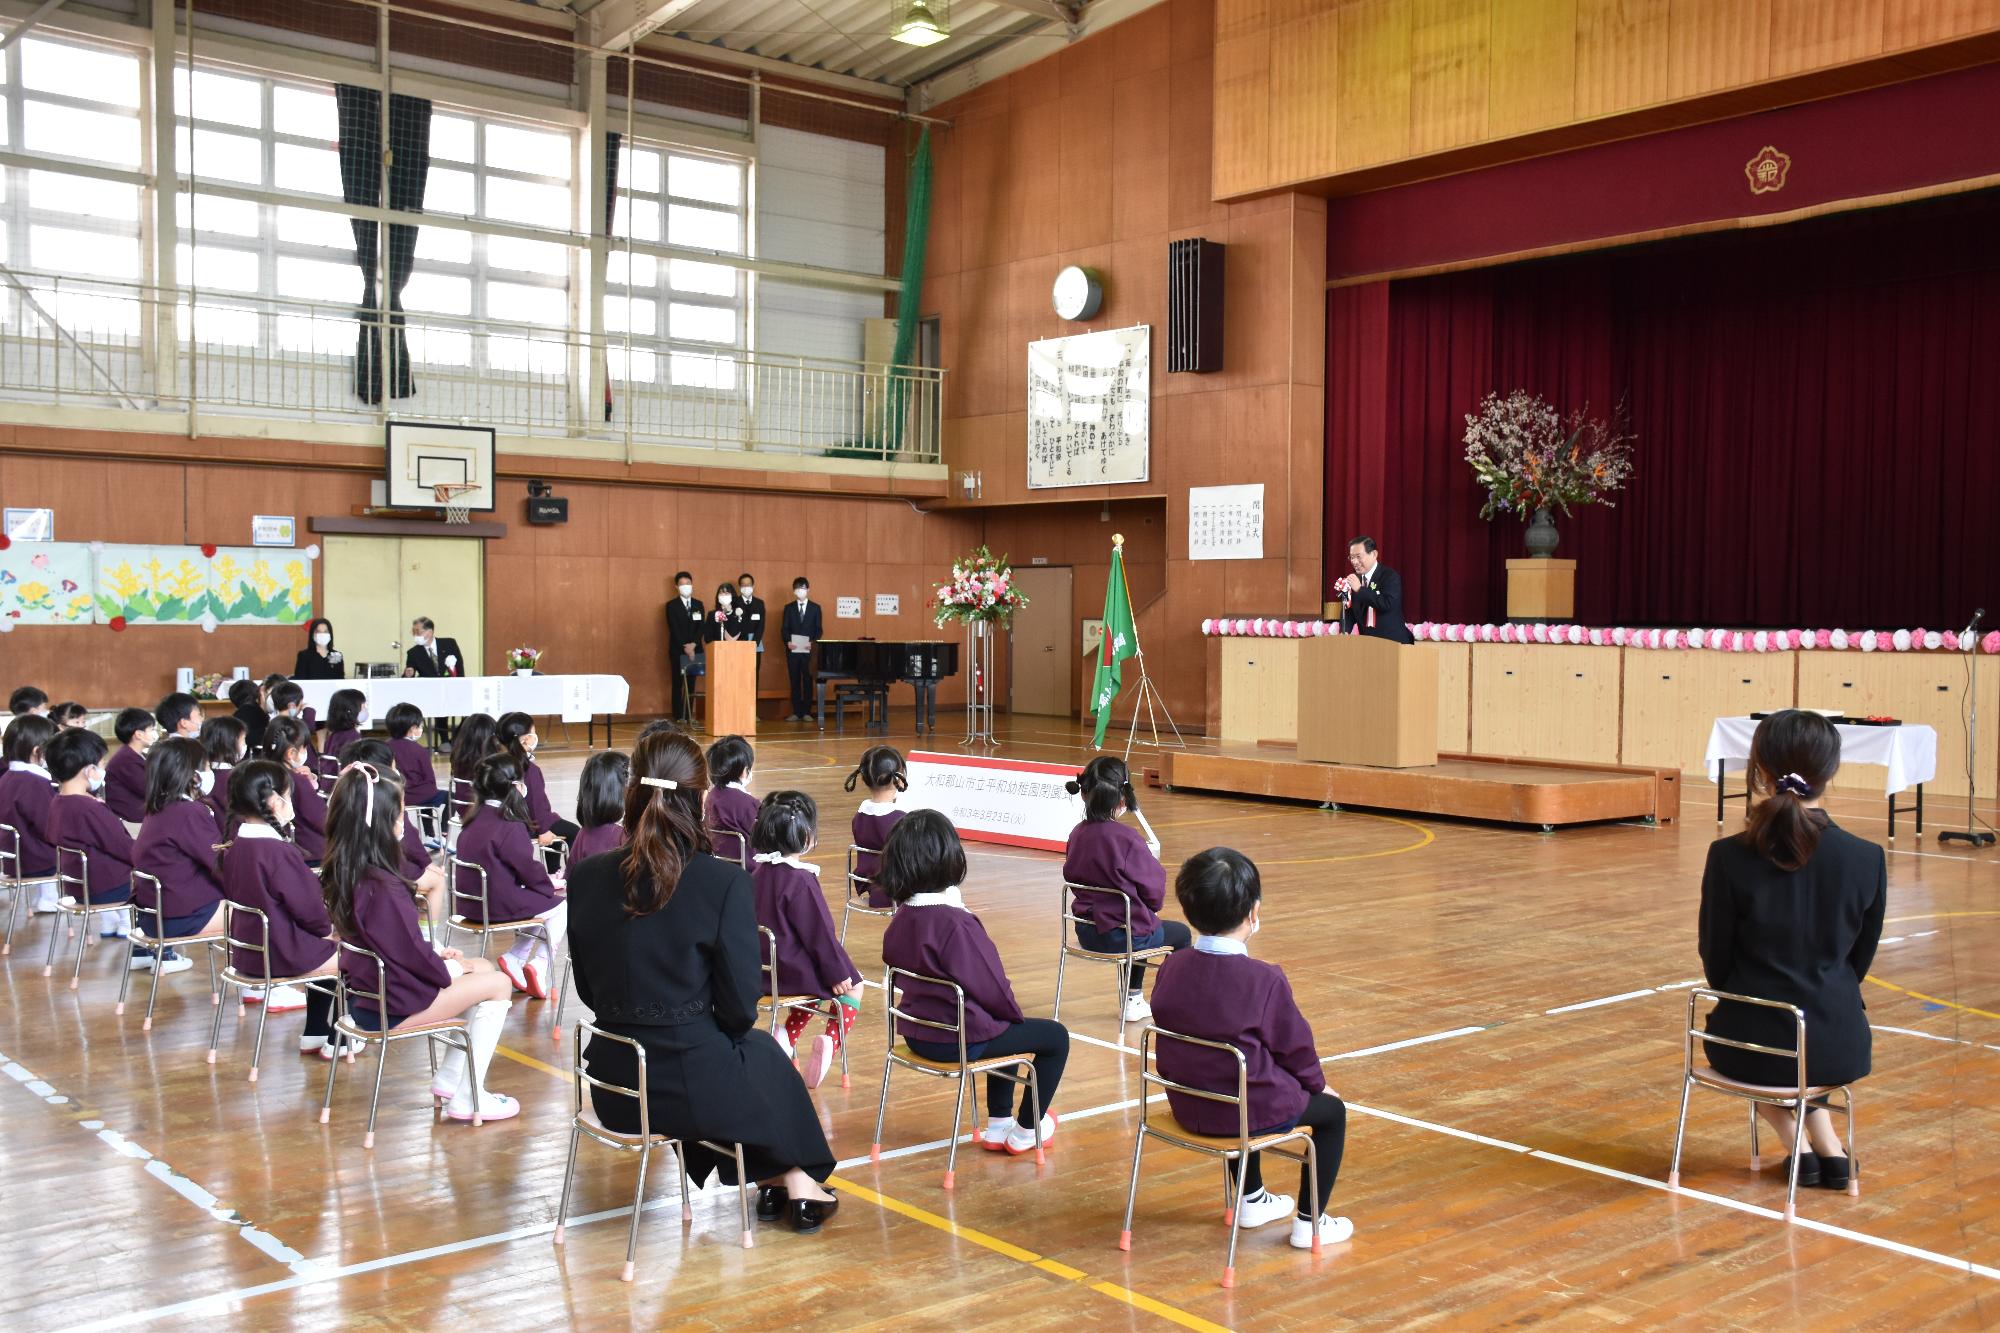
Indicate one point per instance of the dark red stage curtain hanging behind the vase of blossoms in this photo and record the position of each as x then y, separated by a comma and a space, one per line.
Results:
1817, 411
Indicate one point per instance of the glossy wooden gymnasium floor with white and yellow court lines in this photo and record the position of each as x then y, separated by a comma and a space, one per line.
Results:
1499, 1008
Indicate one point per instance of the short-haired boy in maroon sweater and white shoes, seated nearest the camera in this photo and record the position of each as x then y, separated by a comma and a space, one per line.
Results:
1221, 994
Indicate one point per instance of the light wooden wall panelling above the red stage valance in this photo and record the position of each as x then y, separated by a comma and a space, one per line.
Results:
1407, 79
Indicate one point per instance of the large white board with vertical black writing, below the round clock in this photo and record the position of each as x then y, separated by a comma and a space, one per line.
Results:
1091, 409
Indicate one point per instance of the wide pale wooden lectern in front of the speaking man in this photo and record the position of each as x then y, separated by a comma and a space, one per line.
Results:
1367, 702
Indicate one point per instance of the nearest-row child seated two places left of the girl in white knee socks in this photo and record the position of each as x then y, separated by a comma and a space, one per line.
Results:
177, 844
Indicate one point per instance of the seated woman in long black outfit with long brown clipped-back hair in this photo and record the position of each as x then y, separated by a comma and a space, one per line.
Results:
665, 948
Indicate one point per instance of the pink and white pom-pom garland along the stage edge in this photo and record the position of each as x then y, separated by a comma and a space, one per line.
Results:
1719, 641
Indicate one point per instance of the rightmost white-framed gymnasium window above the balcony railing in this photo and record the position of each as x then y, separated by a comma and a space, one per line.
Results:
681, 199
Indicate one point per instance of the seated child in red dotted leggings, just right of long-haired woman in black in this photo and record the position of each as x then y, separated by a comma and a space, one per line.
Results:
793, 908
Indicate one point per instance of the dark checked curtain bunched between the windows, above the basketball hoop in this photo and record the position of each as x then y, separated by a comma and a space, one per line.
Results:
361, 183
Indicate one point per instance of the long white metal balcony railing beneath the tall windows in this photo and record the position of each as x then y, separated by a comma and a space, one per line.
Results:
95, 343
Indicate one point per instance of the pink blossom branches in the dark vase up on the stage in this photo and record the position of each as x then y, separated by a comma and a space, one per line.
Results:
1529, 457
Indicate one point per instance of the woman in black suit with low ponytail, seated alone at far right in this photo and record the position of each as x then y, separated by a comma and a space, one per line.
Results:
1793, 912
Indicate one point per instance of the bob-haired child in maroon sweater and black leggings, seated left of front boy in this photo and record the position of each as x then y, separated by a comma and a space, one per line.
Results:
937, 936
